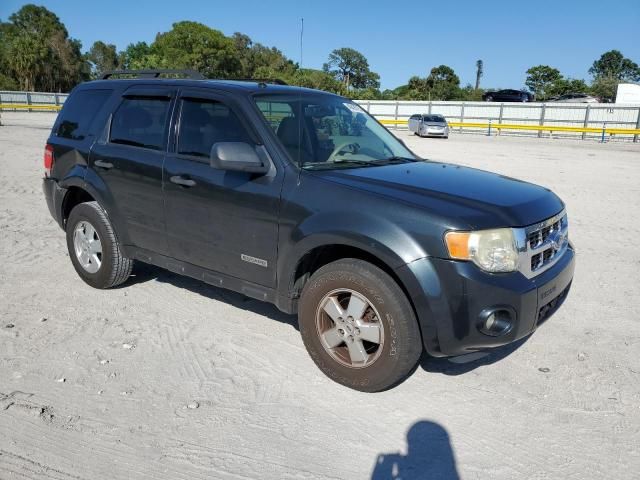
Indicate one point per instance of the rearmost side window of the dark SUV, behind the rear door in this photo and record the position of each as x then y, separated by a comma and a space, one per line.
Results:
79, 111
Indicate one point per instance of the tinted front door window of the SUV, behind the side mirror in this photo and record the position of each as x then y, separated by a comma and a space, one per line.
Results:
203, 123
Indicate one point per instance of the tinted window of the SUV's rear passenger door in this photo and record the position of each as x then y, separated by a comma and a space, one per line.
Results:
141, 122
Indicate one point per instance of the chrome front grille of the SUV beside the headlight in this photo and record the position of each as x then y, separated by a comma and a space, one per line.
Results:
525, 252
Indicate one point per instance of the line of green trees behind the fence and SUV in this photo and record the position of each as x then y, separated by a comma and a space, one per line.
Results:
37, 54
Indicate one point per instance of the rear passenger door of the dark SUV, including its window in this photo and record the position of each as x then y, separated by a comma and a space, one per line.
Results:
129, 161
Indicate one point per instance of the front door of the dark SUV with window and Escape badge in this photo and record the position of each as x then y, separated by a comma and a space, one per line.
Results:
221, 220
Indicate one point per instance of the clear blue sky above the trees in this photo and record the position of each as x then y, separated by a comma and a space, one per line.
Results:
400, 39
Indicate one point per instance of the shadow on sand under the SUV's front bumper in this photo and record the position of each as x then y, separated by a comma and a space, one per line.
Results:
466, 363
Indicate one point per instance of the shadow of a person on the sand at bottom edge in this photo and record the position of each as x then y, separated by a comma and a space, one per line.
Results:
429, 456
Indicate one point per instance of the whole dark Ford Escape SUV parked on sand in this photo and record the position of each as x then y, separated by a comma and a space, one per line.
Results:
300, 198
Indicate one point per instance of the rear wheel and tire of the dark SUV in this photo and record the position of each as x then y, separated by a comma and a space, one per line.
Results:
94, 249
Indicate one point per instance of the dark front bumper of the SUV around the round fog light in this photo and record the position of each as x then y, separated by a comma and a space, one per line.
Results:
451, 296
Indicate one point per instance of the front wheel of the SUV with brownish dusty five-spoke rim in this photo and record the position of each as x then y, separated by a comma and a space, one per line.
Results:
385, 336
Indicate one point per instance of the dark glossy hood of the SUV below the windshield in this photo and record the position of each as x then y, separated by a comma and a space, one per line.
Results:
478, 198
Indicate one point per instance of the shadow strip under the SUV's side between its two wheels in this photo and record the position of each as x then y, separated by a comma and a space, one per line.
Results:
143, 273
